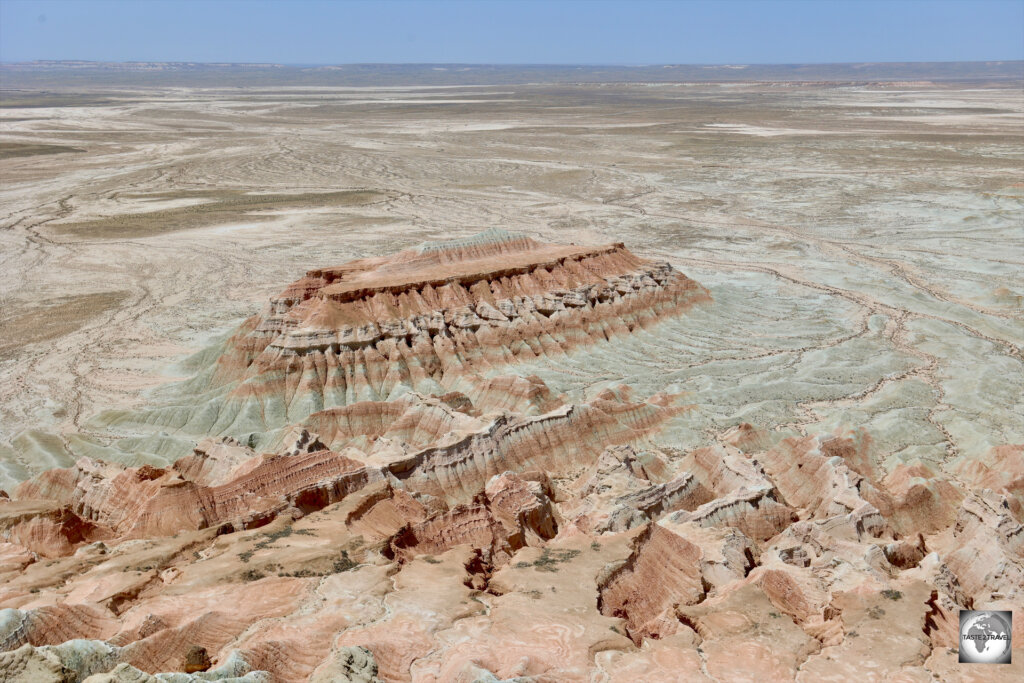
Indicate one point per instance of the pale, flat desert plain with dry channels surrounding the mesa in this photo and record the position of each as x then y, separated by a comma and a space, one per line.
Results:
865, 245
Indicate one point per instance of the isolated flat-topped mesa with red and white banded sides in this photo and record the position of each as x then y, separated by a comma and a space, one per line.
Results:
426, 320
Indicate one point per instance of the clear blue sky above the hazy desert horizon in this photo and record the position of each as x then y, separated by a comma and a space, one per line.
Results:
524, 32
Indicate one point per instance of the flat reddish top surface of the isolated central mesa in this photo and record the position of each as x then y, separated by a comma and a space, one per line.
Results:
490, 254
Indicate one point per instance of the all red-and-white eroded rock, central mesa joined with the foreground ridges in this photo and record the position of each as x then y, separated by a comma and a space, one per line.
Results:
419, 513
